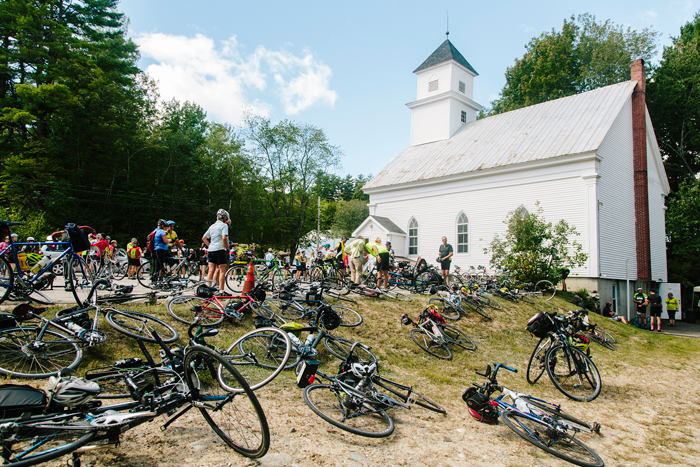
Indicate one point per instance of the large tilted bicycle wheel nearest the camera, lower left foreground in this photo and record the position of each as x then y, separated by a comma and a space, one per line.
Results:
236, 417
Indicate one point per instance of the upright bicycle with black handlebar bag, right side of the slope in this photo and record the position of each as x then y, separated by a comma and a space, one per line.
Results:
571, 371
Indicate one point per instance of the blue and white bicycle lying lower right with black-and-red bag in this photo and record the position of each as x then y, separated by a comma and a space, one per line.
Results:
537, 421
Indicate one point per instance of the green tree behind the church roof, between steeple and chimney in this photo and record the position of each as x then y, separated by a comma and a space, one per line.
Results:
584, 55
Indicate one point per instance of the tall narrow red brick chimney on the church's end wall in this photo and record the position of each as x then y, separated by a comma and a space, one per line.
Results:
641, 186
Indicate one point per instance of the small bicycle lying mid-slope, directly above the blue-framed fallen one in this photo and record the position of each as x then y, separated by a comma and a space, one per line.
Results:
434, 336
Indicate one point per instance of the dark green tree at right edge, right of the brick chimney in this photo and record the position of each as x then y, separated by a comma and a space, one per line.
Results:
673, 97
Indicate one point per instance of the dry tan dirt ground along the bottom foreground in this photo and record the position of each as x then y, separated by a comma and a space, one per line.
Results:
642, 426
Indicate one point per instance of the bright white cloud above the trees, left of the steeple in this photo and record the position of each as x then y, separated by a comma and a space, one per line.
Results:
222, 81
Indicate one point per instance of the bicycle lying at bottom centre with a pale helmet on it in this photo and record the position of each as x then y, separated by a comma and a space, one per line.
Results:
351, 401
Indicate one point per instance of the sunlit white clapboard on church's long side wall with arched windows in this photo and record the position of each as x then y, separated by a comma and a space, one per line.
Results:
487, 204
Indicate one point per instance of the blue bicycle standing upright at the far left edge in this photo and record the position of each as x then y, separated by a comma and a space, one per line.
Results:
19, 282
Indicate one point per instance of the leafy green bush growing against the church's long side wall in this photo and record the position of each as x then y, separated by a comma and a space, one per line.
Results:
533, 249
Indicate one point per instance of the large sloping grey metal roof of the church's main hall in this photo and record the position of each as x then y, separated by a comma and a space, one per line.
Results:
570, 125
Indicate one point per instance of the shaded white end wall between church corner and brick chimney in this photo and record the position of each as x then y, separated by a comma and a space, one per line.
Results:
616, 193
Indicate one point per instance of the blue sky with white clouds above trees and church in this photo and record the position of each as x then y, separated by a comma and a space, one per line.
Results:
347, 67
